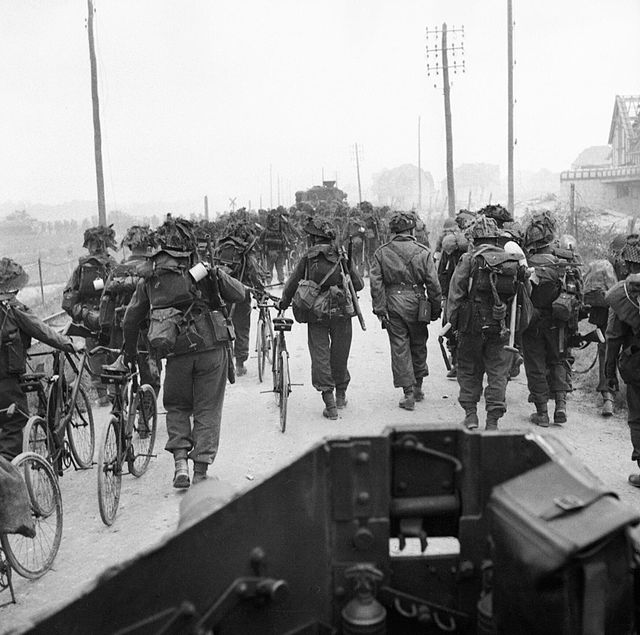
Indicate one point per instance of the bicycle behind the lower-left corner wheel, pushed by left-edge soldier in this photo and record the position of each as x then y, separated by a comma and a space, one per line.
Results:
65, 435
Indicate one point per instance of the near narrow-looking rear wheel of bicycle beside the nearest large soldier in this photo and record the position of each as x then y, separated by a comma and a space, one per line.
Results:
110, 471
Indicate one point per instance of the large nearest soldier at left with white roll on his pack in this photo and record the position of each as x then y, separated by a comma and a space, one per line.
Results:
196, 343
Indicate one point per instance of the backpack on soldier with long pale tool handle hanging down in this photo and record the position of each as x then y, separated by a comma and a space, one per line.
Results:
493, 267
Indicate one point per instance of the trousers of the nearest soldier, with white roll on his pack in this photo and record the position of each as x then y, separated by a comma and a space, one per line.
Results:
194, 388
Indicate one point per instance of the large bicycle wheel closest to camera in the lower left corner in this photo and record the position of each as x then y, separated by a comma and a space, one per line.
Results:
33, 557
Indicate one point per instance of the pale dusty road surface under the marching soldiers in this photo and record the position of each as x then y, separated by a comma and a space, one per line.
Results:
252, 447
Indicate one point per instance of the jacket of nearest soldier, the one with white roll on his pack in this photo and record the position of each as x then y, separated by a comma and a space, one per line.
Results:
208, 328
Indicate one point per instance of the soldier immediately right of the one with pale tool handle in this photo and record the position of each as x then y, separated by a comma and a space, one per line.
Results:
546, 357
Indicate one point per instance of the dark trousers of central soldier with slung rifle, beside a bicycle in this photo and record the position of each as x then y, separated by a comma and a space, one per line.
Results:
329, 345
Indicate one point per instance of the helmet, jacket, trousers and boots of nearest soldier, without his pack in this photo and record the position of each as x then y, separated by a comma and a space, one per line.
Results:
196, 371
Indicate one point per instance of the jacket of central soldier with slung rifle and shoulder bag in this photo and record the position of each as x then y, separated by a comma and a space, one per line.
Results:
315, 265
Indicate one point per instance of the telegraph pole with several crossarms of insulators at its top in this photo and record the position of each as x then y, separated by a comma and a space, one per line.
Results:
443, 64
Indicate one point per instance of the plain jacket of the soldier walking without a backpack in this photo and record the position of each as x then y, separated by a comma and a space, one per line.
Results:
401, 271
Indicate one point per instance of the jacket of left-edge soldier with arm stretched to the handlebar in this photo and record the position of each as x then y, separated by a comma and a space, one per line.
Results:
19, 327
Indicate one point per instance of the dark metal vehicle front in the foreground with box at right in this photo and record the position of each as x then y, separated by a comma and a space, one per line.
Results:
418, 530
